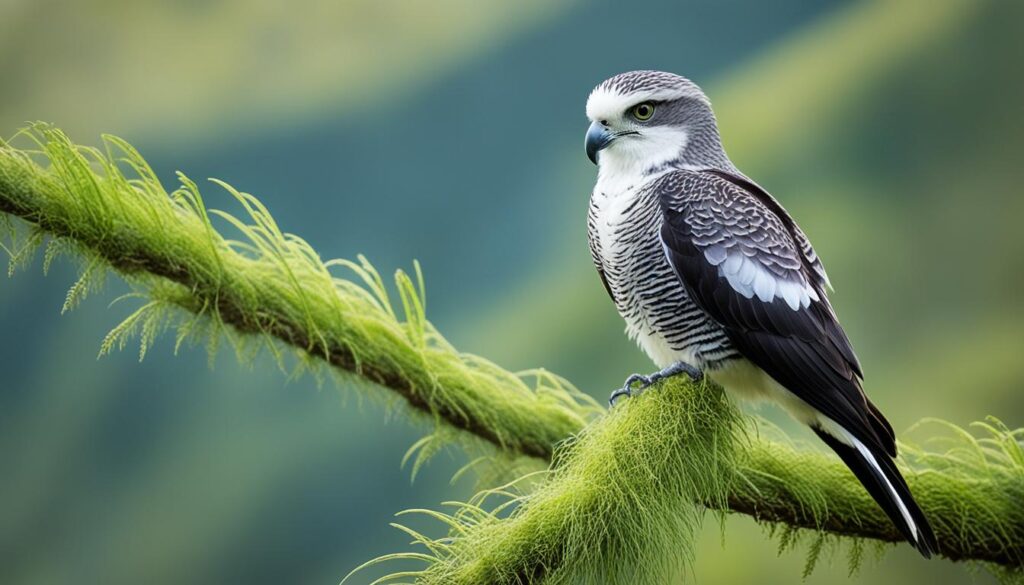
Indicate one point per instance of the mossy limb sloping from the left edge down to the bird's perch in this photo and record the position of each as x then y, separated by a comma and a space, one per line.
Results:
272, 288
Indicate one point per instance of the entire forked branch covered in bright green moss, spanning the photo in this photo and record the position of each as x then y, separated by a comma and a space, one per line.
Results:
668, 455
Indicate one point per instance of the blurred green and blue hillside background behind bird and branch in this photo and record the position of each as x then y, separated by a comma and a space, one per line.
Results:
452, 132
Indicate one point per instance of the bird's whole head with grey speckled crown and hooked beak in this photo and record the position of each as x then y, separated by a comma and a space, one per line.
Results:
643, 120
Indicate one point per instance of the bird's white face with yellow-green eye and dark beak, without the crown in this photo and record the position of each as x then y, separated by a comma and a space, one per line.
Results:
634, 133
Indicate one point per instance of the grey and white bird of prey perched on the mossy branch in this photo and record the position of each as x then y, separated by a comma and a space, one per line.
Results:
713, 277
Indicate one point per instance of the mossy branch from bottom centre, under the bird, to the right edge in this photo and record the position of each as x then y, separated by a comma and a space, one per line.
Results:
624, 500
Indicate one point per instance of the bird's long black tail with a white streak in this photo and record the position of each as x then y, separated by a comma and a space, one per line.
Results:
878, 473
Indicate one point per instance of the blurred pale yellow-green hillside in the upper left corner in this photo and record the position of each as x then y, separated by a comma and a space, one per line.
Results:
209, 65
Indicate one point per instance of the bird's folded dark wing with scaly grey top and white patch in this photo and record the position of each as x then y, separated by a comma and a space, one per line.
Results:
741, 262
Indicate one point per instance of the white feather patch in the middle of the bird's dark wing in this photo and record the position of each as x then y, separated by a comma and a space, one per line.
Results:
750, 278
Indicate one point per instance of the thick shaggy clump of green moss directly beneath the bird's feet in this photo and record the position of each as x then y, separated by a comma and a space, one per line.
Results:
620, 505
